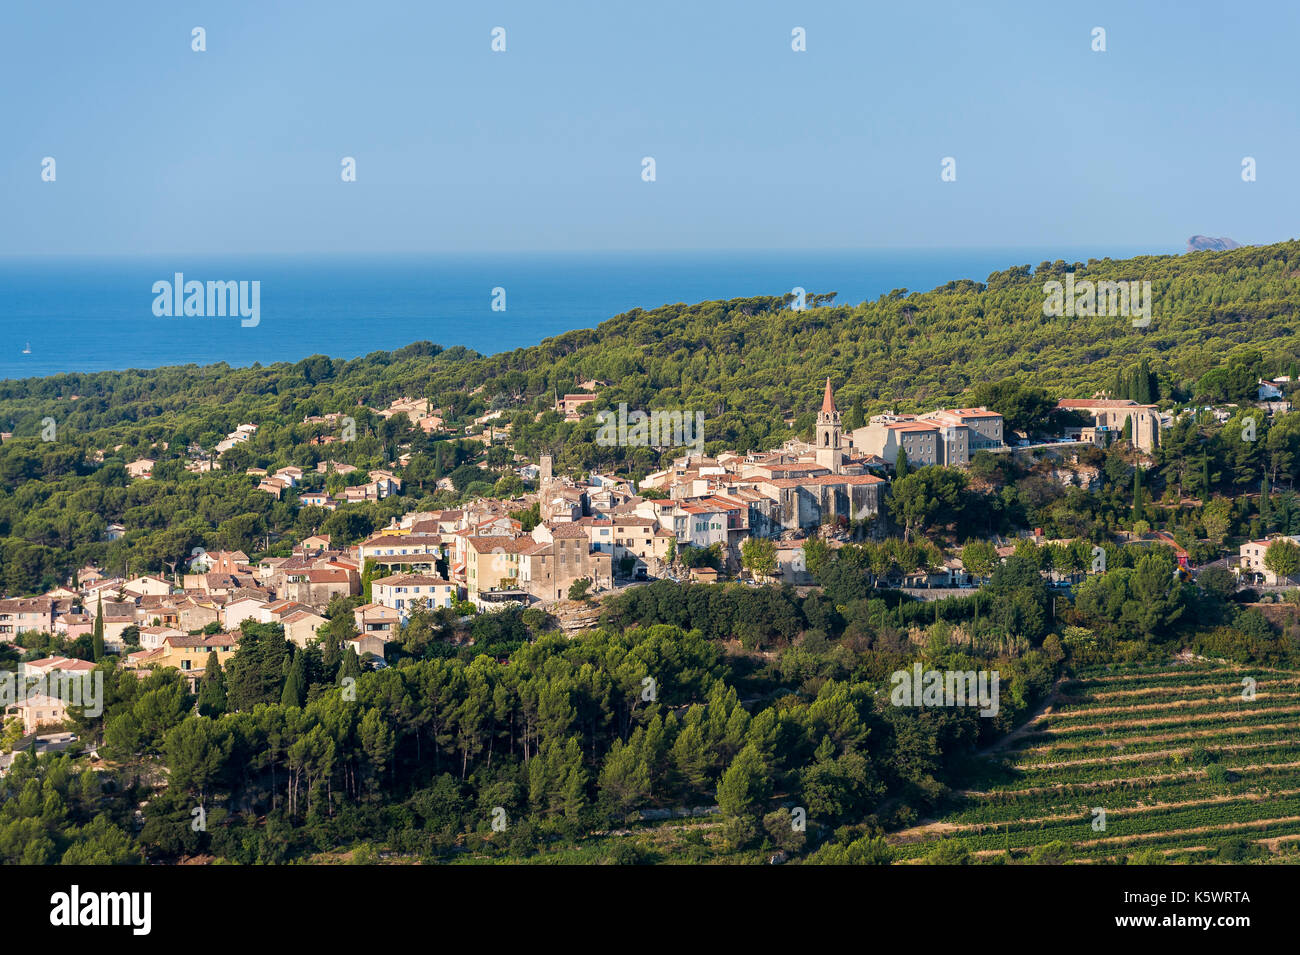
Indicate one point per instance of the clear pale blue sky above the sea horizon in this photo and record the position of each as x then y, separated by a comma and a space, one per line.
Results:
237, 150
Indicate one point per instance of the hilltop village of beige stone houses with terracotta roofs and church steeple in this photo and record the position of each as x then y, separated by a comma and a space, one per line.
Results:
569, 539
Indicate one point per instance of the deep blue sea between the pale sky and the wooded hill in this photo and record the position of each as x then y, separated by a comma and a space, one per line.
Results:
97, 314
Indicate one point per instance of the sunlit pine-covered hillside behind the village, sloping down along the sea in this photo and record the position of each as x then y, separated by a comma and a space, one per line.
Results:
749, 362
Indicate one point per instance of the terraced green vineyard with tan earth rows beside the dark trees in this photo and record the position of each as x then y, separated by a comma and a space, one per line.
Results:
1182, 763
